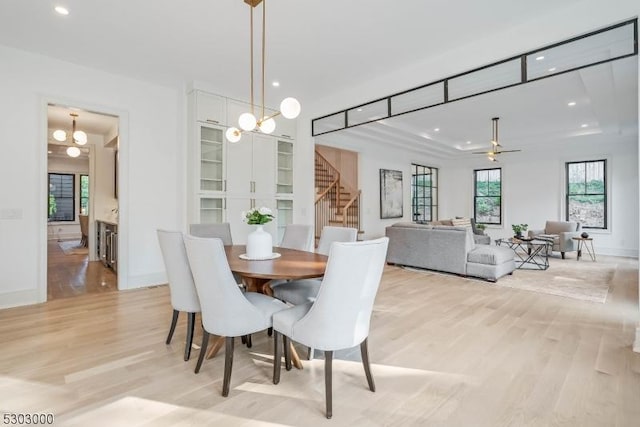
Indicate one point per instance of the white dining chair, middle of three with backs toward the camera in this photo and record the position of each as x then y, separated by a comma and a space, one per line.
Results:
226, 310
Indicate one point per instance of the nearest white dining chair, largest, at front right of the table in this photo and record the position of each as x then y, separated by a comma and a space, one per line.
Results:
340, 316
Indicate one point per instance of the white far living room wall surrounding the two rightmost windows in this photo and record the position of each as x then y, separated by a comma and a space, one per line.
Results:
534, 184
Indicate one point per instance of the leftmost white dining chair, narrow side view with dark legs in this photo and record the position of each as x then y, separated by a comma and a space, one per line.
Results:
181, 287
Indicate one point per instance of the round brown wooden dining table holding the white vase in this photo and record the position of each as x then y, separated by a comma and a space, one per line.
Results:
286, 264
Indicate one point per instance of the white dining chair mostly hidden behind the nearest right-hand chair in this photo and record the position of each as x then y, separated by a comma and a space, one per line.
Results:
302, 291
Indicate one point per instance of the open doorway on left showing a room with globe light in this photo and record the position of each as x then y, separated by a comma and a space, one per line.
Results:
82, 206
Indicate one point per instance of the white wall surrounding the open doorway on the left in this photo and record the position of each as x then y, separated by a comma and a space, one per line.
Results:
151, 156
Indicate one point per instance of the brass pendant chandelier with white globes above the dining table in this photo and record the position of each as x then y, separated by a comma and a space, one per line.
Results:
249, 121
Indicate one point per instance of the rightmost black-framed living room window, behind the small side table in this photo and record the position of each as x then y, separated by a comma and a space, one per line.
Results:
586, 200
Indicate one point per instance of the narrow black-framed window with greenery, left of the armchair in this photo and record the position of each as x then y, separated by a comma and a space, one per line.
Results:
487, 197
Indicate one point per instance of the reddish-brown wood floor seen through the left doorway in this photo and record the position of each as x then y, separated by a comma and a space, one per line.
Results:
73, 275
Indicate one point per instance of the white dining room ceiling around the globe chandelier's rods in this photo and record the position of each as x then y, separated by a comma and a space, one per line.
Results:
313, 47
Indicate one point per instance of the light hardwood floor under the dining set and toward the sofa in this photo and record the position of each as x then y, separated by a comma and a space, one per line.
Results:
445, 352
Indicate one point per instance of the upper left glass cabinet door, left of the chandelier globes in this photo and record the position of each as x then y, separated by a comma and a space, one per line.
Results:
211, 159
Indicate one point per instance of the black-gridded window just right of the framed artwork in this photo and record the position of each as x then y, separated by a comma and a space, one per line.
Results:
424, 193
